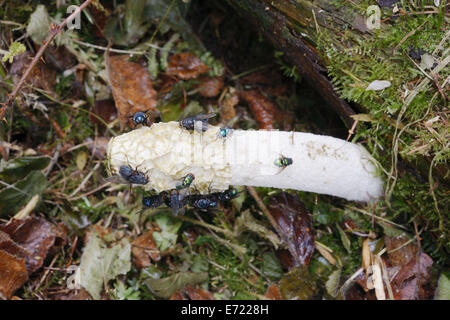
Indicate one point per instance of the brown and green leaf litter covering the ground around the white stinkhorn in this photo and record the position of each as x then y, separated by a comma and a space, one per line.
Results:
162, 66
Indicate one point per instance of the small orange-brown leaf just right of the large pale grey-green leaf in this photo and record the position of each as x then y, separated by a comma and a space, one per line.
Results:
144, 249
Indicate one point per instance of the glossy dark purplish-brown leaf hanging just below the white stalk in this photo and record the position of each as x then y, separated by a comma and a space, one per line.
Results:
295, 225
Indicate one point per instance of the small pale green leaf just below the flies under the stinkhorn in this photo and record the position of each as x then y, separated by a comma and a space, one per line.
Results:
168, 235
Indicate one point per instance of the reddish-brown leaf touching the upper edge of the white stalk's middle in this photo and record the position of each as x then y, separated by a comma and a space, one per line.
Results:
264, 110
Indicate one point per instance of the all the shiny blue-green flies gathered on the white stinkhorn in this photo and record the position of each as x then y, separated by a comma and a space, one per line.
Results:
177, 198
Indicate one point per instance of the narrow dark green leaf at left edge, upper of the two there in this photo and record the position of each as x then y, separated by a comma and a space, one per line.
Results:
18, 168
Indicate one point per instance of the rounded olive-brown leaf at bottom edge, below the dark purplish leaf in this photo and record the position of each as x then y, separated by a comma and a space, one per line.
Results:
298, 285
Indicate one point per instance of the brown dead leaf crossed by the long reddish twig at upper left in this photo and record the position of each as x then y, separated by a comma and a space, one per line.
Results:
42, 76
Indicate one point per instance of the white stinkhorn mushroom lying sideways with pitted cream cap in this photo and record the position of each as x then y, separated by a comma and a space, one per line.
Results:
167, 152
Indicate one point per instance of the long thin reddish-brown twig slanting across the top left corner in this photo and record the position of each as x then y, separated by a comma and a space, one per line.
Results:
54, 30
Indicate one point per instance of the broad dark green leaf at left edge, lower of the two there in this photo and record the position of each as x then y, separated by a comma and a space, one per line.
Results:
17, 195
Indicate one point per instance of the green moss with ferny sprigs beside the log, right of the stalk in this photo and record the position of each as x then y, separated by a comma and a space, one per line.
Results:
351, 69
